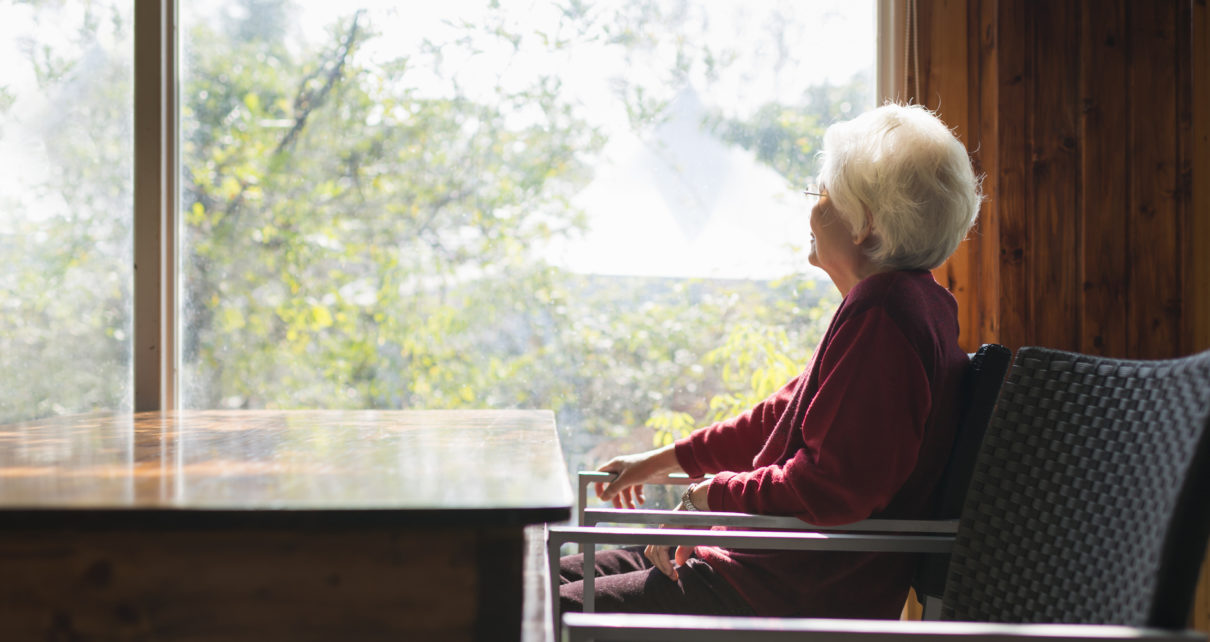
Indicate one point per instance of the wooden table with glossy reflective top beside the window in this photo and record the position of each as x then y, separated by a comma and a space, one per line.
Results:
273, 525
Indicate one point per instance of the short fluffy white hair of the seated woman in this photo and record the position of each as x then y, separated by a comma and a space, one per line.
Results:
902, 167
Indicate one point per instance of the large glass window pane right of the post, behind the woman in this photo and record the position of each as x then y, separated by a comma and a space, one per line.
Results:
586, 206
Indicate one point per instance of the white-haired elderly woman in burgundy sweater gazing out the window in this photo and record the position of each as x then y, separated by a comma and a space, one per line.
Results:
863, 432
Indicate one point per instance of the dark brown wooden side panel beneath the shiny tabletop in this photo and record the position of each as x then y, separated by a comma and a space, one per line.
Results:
253, 586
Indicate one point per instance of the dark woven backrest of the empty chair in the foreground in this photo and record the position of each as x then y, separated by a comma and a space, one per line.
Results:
1088, 499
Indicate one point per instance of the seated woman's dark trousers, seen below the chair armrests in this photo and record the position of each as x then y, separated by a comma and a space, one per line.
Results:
629, 583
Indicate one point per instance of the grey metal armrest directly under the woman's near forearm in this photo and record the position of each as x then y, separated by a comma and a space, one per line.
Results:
594, 517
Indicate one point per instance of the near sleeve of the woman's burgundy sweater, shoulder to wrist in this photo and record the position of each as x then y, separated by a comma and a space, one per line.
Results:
862, 433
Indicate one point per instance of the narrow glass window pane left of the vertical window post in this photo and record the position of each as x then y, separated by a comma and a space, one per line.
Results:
66, 207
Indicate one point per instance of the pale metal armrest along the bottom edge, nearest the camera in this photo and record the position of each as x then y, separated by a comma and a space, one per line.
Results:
615, 627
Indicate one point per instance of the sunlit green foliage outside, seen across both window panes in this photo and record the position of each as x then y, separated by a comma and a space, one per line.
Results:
353, 239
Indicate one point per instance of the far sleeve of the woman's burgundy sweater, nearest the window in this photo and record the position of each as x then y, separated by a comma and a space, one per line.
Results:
734, 444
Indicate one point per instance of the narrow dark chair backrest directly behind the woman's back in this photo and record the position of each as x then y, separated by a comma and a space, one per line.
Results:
979, 390
